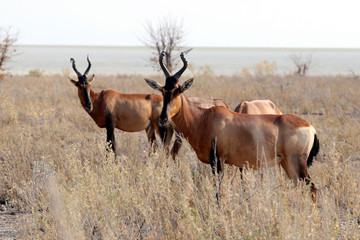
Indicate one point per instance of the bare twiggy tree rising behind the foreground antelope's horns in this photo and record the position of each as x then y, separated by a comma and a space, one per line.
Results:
167, 35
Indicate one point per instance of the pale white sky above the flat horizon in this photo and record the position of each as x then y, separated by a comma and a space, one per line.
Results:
224, 23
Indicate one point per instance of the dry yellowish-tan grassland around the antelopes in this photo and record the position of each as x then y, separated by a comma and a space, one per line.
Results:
59, 182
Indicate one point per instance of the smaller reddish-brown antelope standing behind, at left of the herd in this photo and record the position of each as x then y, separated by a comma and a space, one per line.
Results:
127, 112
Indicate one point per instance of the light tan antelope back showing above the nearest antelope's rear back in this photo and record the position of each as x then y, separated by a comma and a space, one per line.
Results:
258, 107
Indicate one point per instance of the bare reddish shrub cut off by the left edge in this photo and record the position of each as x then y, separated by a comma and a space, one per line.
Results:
7, 40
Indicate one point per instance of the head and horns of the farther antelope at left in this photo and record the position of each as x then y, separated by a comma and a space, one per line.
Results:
83, 85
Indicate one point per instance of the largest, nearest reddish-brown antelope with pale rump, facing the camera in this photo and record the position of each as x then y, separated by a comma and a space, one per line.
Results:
219, 135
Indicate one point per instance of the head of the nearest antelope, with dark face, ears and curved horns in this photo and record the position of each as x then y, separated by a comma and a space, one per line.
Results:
172, 90
